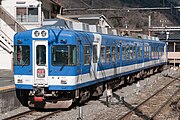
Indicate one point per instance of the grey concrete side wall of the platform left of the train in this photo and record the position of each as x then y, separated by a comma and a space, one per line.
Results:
8, 100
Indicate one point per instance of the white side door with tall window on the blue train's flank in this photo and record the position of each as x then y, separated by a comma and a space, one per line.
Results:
95, 55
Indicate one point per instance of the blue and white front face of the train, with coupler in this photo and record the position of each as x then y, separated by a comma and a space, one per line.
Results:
45, 68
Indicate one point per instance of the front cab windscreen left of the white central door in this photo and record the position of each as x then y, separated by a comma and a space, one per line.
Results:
21, 55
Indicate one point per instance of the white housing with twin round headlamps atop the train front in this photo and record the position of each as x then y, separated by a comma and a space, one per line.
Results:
40, 33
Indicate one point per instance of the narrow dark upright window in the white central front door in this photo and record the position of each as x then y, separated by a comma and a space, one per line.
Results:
41, 55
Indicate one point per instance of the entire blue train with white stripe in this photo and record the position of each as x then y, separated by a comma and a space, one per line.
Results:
55, 68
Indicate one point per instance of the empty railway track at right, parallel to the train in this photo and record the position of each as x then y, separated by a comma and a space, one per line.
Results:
153, 105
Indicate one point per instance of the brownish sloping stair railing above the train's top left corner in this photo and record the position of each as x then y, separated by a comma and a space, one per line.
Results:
10, 21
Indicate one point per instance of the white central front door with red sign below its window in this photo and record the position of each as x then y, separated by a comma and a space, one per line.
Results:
40, 63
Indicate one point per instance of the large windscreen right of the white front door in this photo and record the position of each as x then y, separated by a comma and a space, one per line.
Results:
63, 55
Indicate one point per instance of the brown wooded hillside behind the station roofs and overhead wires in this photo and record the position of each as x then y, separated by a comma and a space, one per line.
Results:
124, 17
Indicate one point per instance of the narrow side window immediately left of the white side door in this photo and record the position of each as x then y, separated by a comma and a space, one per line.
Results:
86, 54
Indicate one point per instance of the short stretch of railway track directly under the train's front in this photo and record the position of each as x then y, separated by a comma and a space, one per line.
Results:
32, 114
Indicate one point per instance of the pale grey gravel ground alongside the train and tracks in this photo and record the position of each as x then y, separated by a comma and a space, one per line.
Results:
97, 110
